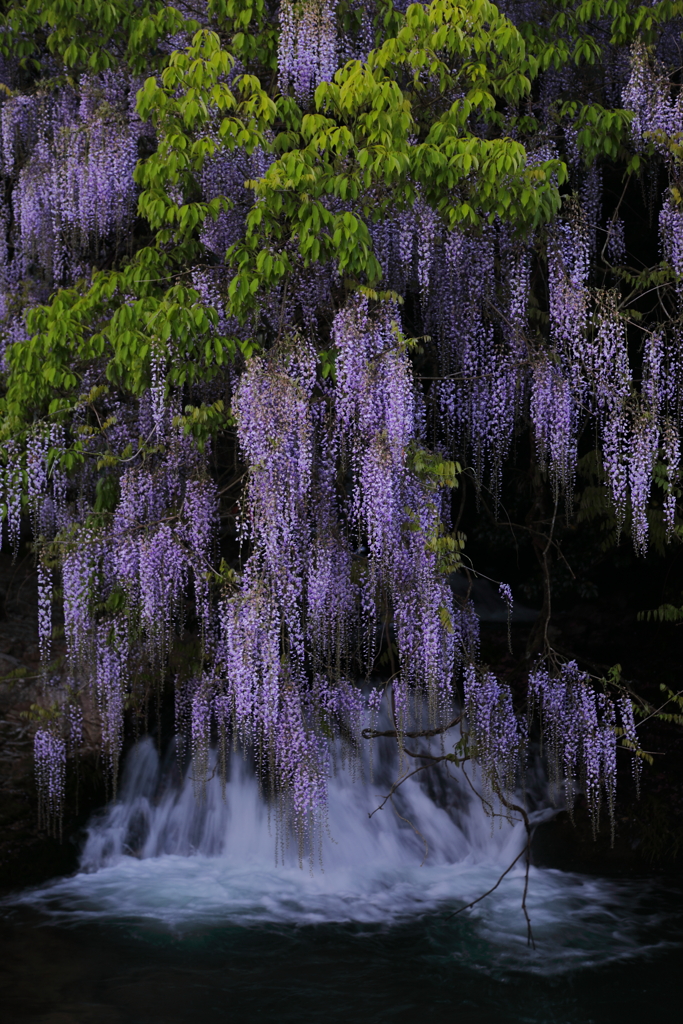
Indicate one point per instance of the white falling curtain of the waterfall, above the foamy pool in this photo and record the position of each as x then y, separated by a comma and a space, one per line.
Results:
433, 820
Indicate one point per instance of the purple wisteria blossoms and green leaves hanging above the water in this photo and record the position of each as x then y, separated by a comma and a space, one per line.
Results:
273, 278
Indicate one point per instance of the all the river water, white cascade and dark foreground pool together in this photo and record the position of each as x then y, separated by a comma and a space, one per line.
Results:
188, 911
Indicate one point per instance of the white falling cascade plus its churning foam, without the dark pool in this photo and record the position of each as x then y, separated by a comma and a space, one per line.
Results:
158, 855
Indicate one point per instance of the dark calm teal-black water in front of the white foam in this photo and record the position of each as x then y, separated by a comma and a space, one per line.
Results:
58, 970
